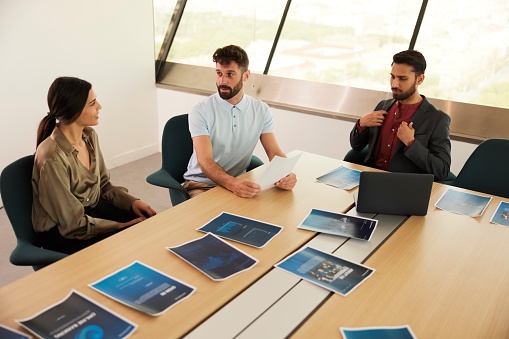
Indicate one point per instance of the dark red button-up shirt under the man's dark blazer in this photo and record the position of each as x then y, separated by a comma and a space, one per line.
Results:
387, 139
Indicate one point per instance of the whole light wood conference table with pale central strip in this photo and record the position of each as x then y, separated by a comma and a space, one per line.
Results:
442, 274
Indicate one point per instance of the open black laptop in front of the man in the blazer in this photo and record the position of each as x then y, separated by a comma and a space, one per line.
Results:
394, 193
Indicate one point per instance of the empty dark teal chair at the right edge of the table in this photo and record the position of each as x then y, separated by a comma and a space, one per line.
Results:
486, 169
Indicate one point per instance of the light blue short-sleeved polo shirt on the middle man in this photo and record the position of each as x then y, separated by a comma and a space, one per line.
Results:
234, 131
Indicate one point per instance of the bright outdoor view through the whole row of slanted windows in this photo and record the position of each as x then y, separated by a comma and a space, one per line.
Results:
351, 43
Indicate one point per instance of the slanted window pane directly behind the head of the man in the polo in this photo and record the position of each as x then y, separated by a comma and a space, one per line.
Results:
209, 24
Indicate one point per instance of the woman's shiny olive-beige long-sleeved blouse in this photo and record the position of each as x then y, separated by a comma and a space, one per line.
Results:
63, 187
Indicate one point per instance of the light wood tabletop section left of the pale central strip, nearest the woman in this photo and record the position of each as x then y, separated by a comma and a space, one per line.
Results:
147, 242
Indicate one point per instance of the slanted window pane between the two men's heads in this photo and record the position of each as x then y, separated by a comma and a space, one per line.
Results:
341, 42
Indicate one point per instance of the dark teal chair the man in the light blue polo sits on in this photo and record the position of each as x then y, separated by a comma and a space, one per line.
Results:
177, 148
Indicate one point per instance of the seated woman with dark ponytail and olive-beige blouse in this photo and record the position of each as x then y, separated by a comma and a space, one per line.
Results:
75, 205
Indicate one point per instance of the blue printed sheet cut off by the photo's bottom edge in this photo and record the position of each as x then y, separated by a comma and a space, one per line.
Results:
382, 332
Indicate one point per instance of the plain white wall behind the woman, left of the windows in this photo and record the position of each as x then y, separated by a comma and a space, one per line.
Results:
108, 43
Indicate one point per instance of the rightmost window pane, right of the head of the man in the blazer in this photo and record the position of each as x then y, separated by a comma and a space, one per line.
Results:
466, 45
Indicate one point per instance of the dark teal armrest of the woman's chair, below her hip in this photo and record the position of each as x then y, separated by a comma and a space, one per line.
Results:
26, 254
